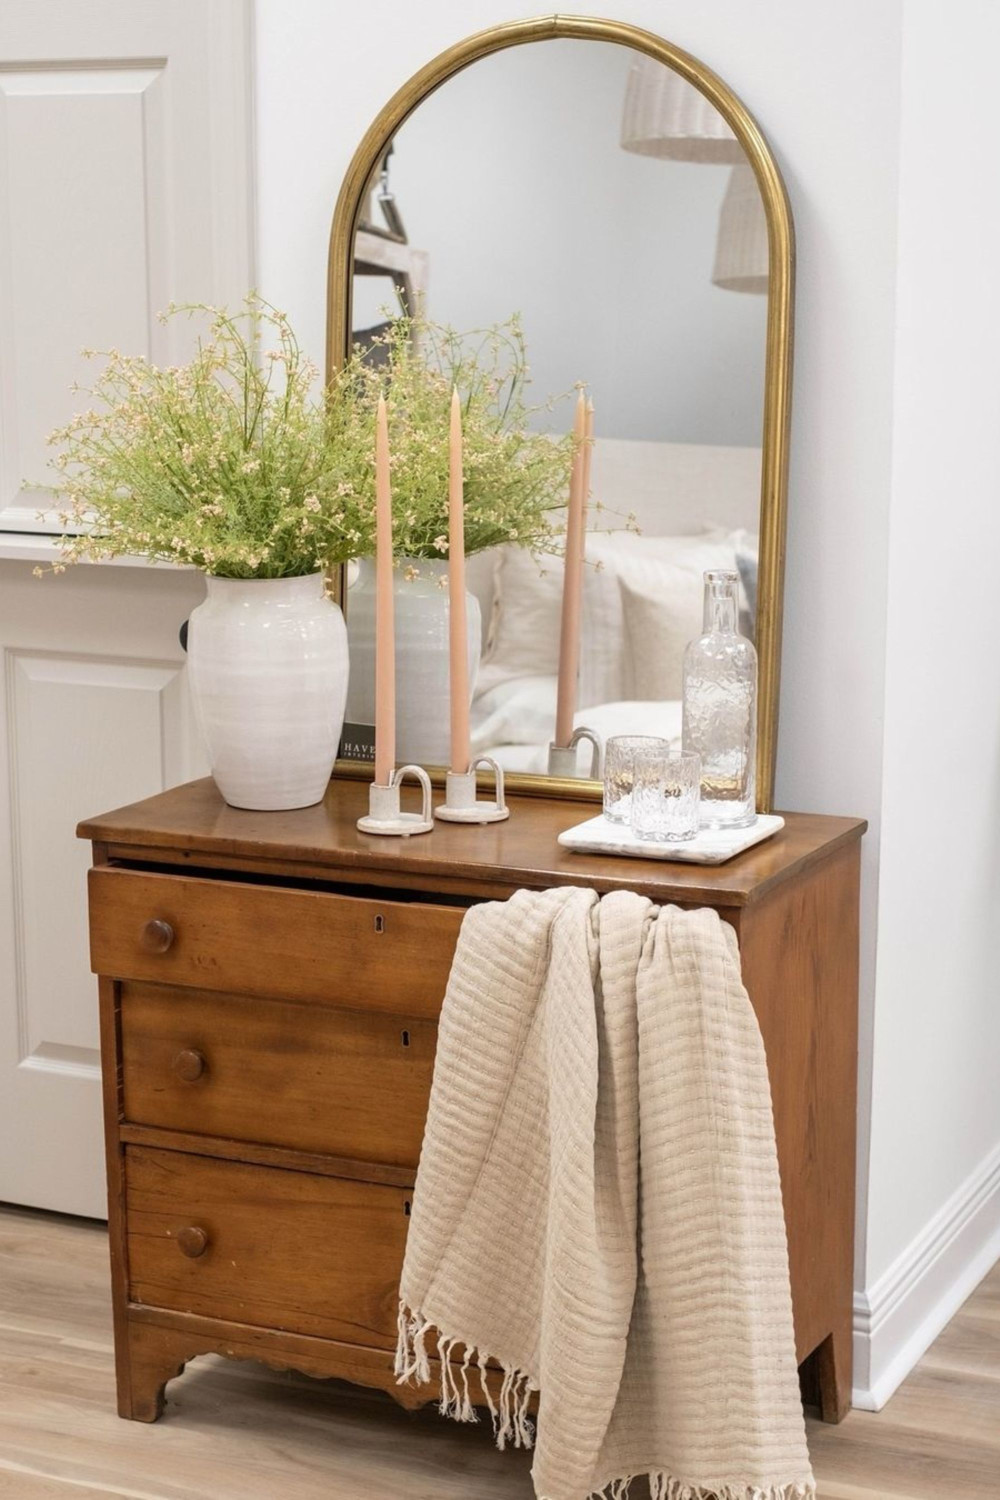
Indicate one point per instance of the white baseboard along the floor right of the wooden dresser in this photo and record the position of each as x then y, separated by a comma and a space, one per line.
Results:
902, 1315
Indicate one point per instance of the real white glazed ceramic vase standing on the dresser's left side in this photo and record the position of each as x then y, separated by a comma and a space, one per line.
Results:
268, 664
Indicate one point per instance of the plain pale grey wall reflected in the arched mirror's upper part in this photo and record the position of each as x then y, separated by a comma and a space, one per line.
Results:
525, 203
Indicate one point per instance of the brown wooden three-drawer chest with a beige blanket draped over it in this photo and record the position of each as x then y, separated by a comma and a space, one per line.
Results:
271, 988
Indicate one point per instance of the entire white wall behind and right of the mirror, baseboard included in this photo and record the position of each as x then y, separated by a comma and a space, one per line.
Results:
879, 491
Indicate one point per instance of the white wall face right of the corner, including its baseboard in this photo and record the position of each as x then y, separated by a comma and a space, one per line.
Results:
935, 1178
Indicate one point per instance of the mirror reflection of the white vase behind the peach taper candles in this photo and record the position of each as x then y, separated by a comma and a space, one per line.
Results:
424, 679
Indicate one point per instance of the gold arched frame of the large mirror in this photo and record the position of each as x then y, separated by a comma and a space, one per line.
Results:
774, 458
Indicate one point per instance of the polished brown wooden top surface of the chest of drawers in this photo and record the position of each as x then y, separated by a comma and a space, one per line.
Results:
193, 826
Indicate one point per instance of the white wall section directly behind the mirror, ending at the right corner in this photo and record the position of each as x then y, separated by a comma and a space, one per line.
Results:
830, 109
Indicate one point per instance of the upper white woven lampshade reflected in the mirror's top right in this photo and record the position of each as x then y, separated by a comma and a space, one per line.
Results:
666, 116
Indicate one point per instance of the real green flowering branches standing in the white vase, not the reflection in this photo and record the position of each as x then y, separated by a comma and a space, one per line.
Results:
226, 464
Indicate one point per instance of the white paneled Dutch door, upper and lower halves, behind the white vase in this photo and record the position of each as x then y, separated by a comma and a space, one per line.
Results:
125, 148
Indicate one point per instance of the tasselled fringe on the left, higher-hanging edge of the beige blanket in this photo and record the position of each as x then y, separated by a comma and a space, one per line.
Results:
509, 1414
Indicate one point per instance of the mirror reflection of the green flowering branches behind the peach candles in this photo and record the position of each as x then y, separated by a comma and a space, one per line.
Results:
516, 479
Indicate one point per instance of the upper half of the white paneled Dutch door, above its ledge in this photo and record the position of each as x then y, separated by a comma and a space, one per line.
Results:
125, 151
